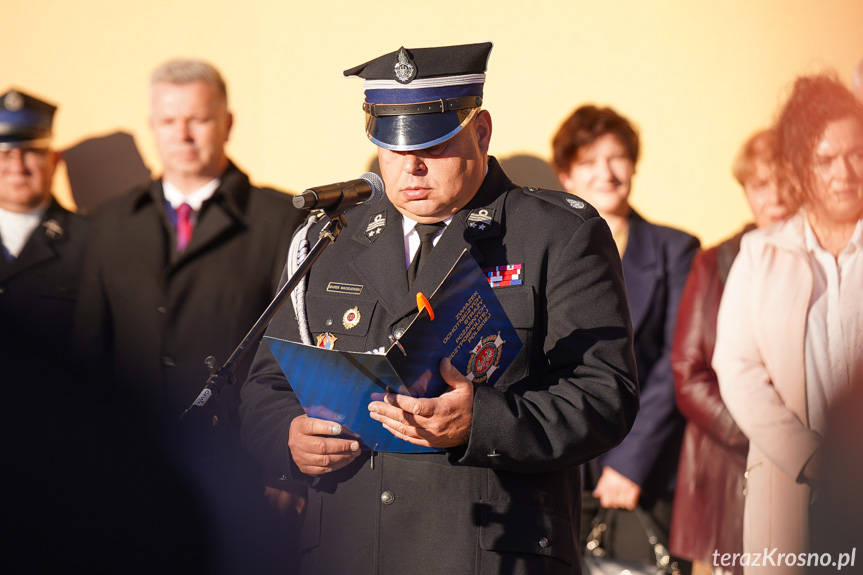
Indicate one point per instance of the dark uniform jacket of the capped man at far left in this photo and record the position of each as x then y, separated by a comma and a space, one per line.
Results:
39, 289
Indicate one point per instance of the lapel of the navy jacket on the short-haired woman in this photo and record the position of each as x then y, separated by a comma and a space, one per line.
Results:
639, 269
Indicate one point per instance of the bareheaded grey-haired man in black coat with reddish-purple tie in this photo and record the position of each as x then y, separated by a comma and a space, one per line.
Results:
177, 270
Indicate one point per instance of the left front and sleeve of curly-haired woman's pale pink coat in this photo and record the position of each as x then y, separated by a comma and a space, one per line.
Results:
759, 362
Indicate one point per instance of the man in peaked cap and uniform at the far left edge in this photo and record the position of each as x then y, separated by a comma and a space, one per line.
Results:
42, 243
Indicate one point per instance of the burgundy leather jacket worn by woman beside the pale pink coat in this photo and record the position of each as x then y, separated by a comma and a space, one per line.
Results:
708, 500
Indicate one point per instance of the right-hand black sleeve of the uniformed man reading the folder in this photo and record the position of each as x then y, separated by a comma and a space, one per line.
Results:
583, 400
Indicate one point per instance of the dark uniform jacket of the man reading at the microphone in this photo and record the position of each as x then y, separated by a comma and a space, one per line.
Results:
507, 502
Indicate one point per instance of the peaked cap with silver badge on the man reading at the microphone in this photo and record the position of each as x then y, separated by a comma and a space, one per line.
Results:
419, 97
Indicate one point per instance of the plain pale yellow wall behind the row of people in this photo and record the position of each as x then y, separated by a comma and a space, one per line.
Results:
697, 77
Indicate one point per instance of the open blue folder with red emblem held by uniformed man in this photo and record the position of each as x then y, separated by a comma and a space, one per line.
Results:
470, 327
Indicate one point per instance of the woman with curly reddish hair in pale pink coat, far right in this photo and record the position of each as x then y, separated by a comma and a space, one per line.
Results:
790, 325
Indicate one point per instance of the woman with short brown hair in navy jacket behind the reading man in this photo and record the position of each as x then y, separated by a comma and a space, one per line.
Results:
595, 154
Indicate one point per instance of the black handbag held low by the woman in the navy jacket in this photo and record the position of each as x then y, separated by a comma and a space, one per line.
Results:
595, 559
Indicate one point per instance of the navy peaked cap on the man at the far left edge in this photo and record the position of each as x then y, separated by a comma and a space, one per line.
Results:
25, 121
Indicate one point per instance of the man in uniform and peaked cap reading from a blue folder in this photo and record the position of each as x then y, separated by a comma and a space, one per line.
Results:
500, 493
